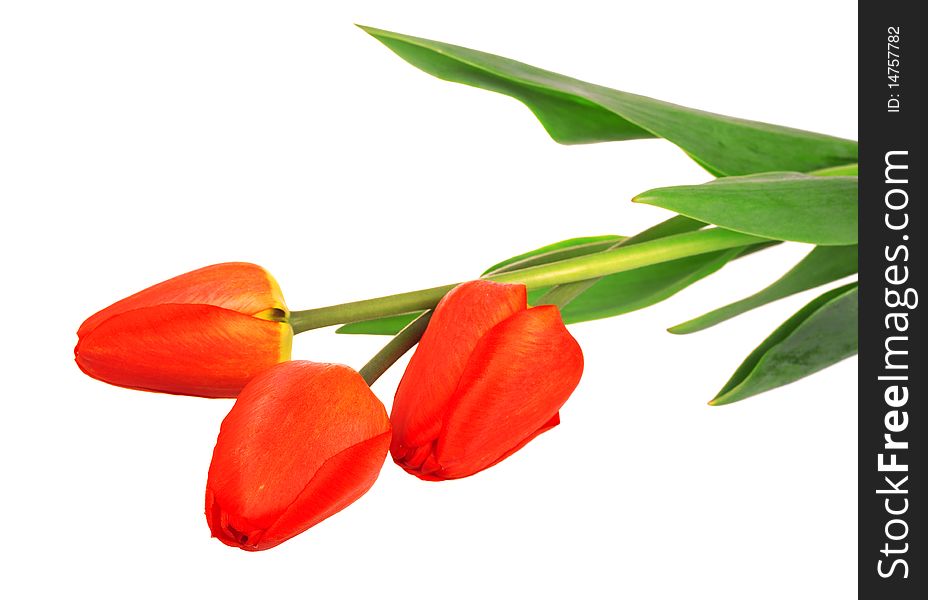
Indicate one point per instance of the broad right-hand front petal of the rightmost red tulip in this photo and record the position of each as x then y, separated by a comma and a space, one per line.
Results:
518, 377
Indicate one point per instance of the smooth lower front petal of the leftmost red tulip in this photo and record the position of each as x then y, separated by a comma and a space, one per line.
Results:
186, 349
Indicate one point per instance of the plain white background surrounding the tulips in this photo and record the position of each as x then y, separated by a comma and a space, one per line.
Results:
142, 140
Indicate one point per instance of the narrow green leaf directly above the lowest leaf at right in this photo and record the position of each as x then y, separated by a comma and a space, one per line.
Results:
822, 265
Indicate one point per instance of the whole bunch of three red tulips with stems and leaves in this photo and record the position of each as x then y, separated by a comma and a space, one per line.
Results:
494, 362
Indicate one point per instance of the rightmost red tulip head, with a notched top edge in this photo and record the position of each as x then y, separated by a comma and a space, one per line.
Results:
489, 375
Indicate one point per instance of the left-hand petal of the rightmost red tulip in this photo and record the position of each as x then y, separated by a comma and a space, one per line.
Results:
463, 316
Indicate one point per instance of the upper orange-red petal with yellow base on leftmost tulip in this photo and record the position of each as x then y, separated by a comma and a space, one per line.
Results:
241, 287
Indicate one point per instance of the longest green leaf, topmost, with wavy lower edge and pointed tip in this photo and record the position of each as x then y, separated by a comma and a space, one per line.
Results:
576, 112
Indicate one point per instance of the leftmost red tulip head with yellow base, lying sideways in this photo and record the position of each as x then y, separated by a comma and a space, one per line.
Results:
204, 333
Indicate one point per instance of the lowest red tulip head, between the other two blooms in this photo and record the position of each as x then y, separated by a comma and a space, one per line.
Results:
303, 441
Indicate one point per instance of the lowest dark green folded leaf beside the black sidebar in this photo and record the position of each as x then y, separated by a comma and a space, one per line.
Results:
821, 334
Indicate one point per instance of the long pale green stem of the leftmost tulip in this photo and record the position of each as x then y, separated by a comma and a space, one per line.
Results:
625, 257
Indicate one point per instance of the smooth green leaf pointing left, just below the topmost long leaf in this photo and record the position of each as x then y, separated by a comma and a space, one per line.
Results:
782, 206
